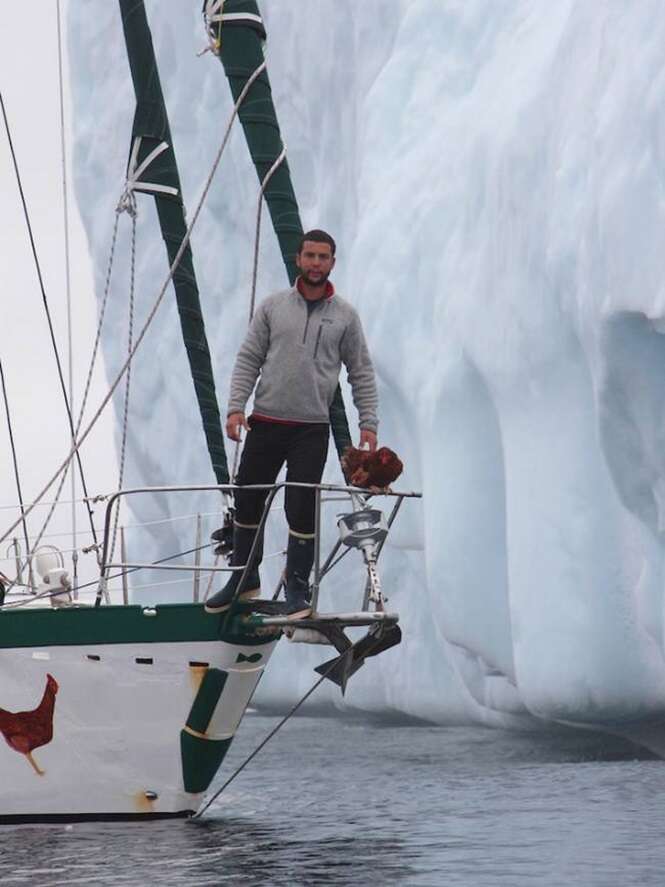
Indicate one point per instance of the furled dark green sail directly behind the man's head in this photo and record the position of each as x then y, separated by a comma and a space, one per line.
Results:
237, 29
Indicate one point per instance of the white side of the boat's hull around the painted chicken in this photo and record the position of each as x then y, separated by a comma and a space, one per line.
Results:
117, 723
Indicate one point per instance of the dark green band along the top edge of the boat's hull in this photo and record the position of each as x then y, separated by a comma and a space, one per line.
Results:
116, 625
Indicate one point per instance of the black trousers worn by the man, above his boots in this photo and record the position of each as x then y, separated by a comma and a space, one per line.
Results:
268, 446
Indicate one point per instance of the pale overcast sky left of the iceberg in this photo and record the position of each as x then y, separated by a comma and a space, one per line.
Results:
29, 84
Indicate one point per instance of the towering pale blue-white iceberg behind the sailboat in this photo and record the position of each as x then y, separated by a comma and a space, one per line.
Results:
493, 172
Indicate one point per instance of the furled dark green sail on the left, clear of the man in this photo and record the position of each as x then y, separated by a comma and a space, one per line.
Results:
151, 135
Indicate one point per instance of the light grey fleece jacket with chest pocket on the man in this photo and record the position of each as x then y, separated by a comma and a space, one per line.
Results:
299, 353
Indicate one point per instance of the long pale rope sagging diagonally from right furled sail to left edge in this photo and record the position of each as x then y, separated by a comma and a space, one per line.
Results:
139, 339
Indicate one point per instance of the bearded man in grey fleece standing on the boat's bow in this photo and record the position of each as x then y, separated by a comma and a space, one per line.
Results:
296, 344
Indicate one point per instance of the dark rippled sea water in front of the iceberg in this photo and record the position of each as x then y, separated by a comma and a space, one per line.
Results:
340, 802
